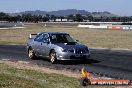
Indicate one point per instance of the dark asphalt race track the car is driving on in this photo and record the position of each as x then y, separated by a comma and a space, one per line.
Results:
104, 62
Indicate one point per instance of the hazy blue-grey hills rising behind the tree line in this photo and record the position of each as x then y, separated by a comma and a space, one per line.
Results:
67, 12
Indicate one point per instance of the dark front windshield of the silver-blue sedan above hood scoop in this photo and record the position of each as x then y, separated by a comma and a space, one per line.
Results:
62, 38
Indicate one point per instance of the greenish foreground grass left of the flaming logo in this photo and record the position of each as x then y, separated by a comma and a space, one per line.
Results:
22, 78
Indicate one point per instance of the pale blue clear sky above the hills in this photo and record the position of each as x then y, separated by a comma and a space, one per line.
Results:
118, 7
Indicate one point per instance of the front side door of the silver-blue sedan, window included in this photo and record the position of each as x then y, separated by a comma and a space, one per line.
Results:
44, 46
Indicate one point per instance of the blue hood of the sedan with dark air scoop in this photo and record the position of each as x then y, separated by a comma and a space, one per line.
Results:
71, 45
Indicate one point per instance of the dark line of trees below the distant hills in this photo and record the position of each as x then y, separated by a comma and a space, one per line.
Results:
71, 18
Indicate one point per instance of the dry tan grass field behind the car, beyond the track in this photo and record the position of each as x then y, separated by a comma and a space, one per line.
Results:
91, 37
